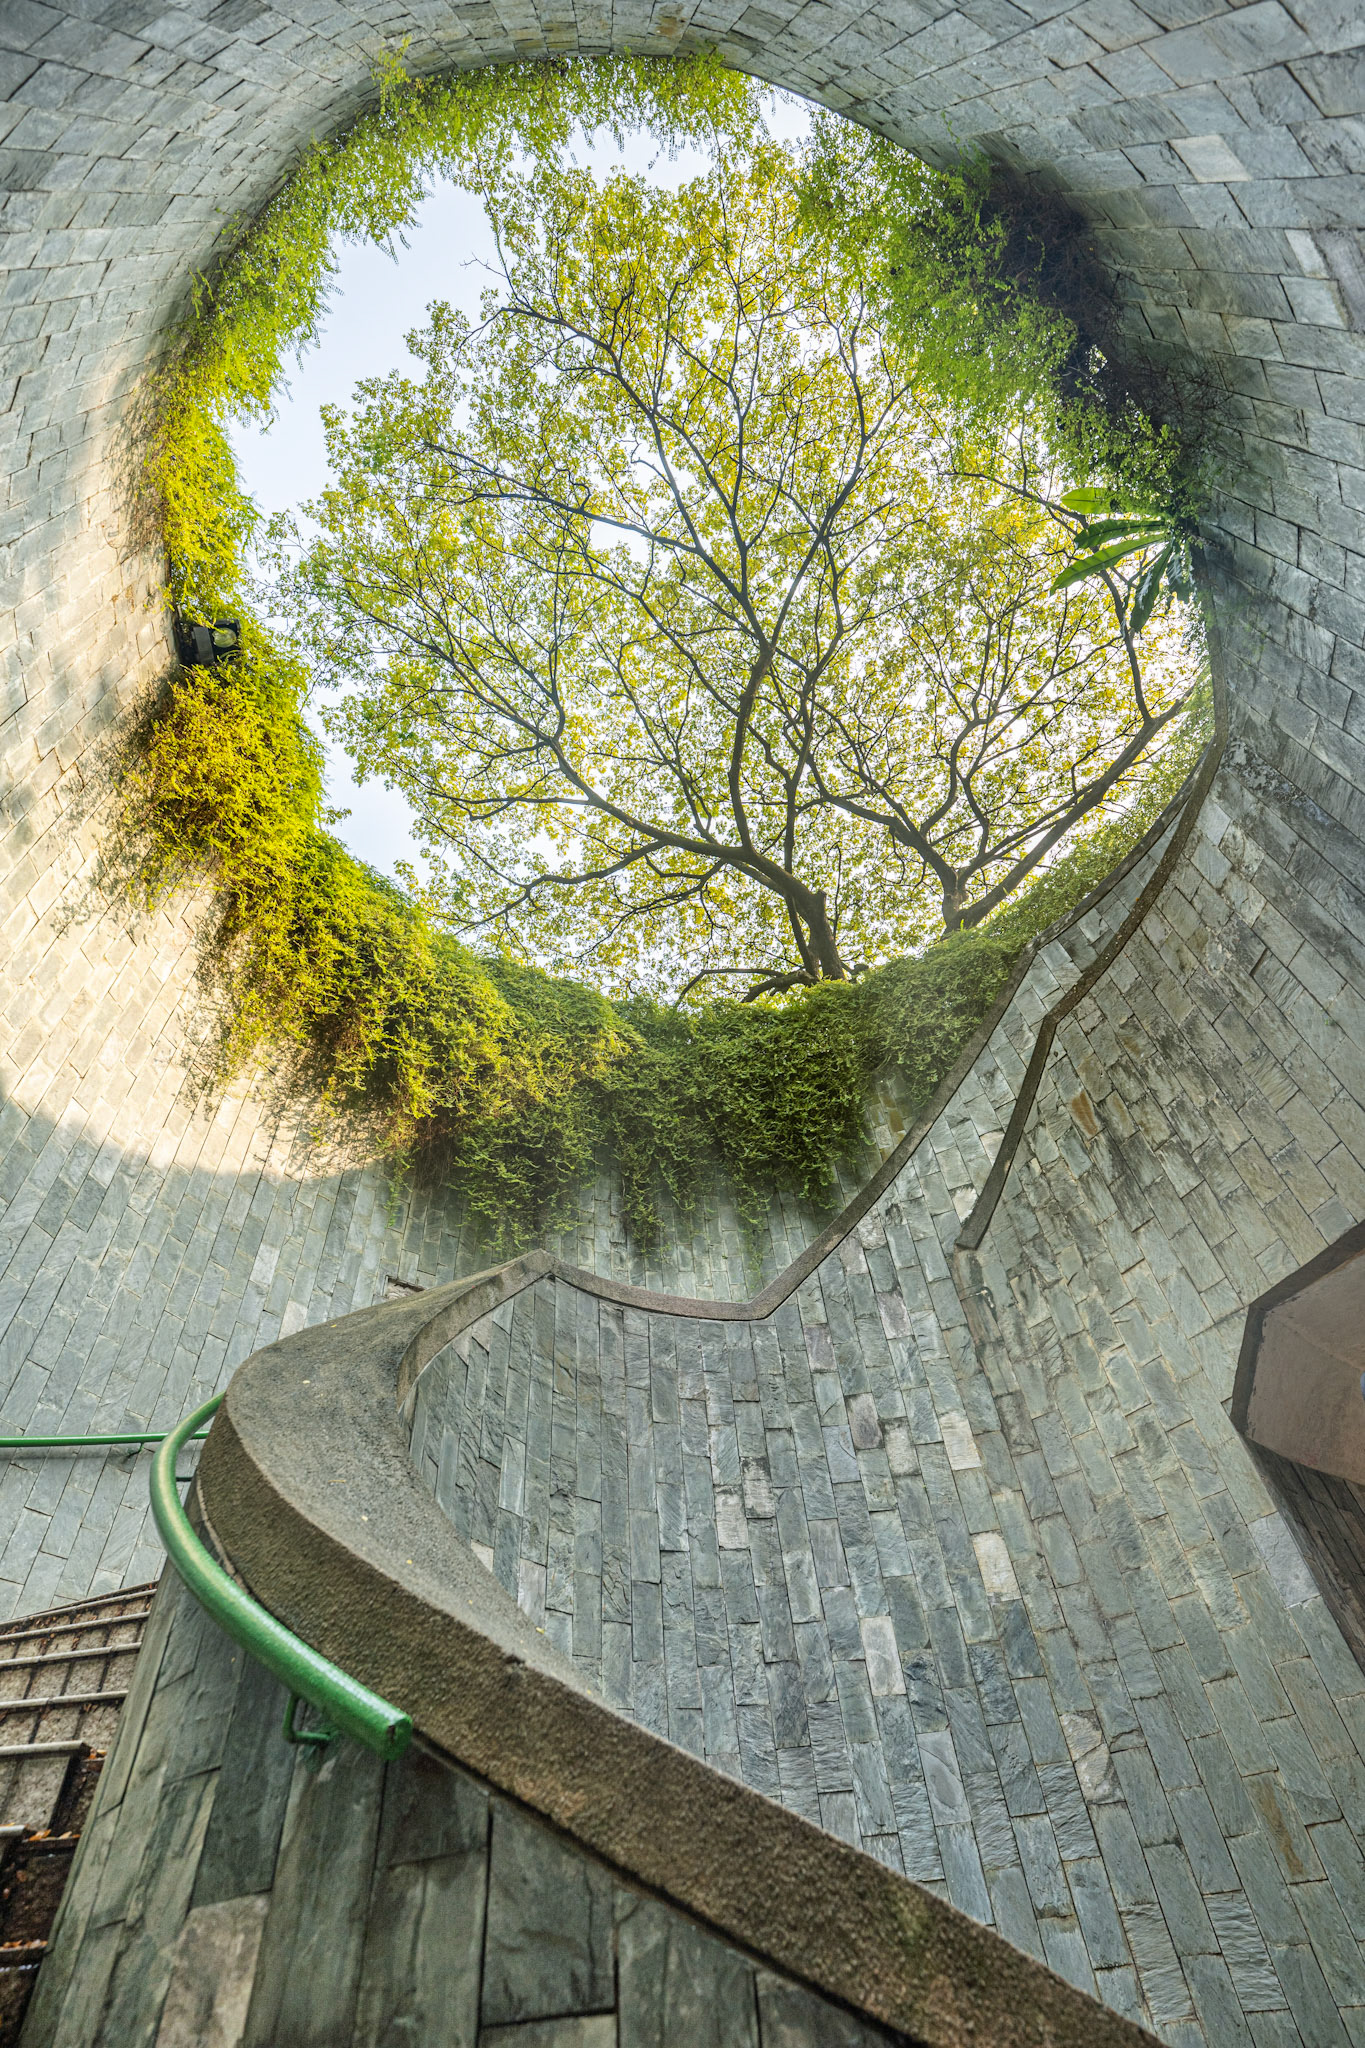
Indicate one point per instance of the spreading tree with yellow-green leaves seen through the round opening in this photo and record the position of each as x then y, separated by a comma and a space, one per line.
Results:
662, 603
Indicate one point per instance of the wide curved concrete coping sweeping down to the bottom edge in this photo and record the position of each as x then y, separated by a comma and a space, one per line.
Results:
308, 1492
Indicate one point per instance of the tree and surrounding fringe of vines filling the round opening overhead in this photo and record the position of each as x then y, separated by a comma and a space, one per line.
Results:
975, 486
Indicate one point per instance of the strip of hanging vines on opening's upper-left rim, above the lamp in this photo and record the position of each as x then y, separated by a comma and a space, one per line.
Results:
269, 294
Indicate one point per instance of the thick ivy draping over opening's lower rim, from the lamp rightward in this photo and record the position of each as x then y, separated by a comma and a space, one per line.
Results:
504, 1082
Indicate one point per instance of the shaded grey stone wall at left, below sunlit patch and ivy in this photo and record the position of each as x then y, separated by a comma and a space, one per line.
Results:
138, 1273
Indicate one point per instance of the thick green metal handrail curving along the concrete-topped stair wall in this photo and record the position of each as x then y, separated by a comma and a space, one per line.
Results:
345, 1703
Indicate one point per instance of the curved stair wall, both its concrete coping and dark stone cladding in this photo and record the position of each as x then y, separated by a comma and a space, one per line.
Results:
613, 1889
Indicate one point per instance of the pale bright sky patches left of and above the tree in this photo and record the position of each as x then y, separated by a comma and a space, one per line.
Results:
373, 306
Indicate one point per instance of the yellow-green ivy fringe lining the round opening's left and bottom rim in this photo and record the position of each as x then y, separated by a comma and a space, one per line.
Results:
509, 1084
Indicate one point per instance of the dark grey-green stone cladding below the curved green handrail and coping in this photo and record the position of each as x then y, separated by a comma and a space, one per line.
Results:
230, 1891
